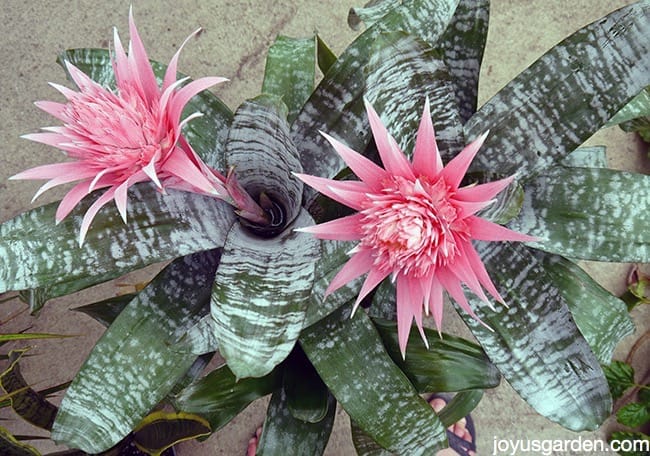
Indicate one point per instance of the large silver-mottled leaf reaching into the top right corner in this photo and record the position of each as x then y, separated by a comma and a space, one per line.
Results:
566, 96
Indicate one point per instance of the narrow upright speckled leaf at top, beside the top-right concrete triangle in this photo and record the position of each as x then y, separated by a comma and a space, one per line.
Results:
462, 46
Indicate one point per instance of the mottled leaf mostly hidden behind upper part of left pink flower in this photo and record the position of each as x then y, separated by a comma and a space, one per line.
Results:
207, 134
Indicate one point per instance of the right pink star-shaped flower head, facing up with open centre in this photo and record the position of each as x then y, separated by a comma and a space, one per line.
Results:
414, 223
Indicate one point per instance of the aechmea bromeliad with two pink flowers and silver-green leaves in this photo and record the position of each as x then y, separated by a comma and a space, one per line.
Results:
412, 191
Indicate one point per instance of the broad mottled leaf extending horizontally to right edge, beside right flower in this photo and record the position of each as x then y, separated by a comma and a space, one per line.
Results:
589, 213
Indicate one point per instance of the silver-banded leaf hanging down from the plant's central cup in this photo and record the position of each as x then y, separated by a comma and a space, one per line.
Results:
260, 296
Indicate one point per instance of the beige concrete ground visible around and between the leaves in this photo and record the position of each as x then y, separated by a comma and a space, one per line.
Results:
236, 37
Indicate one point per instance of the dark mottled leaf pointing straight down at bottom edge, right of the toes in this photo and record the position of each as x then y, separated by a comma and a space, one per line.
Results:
283, 432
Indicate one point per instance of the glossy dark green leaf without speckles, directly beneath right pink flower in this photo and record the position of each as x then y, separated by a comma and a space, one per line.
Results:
449, 364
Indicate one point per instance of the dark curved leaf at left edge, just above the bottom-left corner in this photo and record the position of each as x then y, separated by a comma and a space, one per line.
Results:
27, 403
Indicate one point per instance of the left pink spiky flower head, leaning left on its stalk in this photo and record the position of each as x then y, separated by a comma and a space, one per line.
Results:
122, 137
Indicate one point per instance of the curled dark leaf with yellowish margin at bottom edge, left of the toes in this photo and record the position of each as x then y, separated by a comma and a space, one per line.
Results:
161, 430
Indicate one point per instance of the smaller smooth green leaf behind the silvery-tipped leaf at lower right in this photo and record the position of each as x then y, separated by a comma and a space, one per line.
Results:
601, 317
